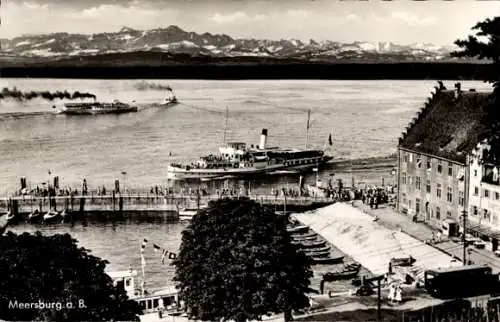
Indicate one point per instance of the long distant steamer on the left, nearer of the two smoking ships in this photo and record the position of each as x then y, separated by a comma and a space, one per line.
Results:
92, 108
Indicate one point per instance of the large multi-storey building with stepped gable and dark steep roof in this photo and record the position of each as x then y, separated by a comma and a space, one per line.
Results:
432, 154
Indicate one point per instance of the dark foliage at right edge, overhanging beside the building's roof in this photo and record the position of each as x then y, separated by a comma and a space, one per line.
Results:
486, 45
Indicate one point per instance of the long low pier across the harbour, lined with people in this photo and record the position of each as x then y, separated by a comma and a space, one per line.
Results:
145, 202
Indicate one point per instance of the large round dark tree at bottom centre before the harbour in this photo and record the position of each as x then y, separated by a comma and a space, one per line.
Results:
236, 262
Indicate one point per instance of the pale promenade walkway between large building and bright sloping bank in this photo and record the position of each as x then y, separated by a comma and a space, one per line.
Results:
389, 218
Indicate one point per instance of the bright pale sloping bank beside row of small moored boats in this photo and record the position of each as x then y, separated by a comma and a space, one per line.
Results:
373, 246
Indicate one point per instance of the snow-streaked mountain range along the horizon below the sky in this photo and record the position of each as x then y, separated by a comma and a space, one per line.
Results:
174, 40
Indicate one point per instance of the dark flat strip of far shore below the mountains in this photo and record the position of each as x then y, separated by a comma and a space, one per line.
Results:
252, 70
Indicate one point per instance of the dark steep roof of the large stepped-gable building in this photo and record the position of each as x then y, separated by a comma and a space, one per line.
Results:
448, 126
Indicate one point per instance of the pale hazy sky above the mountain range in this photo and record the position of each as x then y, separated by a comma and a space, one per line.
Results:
400, 21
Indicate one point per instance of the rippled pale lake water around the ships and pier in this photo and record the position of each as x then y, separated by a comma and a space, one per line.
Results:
366, 118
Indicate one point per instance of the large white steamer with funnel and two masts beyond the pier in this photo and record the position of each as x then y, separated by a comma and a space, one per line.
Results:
238, 159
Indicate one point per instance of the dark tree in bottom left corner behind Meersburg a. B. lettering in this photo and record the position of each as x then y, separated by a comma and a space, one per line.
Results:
53, 269
